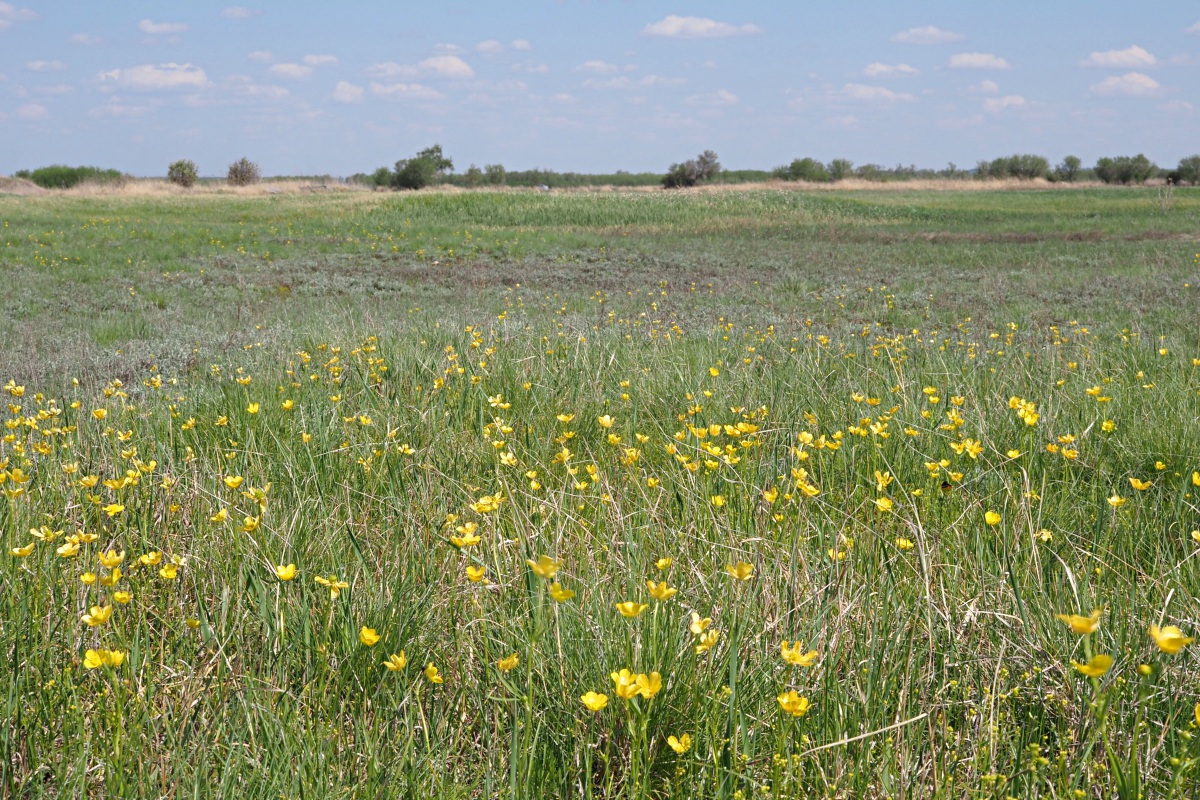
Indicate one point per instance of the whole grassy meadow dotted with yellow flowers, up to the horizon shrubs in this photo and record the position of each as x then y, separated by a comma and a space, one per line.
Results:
724, 495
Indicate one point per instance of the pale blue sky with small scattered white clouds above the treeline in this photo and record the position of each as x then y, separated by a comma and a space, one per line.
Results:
597, 86
